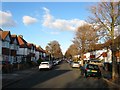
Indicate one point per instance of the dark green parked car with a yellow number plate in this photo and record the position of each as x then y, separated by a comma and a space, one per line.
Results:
91, 70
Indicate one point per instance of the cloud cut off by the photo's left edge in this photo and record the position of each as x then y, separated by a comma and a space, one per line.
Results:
6, 19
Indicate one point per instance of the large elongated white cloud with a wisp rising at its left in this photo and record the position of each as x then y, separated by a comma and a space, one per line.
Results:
60, 24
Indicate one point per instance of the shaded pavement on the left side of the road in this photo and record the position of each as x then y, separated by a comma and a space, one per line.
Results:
15, 76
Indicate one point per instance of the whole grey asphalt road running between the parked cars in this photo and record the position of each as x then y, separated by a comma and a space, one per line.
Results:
61, 76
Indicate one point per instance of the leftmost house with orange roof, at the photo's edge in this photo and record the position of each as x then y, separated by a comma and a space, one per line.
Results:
6, 51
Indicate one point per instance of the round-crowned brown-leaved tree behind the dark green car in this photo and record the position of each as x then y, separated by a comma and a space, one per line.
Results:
85, 38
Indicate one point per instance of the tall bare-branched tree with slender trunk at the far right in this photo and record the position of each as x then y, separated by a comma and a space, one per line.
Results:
107, 16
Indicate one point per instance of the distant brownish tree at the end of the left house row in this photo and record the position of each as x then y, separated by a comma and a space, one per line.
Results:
54, 49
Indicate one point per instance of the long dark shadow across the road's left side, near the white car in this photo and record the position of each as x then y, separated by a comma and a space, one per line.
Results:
37, 78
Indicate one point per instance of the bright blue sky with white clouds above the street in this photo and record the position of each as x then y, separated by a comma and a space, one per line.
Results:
42, 22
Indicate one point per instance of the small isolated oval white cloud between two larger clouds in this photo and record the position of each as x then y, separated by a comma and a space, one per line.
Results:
27, 20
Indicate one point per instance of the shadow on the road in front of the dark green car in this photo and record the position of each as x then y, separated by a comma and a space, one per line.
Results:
88, 83
